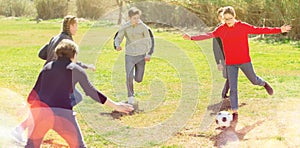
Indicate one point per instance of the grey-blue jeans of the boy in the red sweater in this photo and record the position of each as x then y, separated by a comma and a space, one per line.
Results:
248, 70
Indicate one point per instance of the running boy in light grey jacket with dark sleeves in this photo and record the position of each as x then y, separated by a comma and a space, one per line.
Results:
138, 51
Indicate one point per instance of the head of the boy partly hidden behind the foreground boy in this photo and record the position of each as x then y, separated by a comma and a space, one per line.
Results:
70, 25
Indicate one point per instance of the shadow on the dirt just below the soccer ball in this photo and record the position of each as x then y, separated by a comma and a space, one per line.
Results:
230, 136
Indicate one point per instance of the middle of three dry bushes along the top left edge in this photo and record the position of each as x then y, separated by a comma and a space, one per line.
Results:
49, 9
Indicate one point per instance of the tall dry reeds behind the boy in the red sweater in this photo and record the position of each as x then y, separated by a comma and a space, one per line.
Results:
271, 13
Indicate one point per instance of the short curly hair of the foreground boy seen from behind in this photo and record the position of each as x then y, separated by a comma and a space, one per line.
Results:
66, 48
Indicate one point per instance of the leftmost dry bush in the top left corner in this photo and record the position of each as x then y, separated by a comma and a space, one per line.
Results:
17, 8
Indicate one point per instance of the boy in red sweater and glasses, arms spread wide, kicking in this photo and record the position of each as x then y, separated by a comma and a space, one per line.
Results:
234, 36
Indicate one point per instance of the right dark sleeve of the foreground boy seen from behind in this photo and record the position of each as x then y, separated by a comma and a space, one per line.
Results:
79, 75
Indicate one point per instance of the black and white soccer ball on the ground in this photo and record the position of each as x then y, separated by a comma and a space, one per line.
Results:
223, 119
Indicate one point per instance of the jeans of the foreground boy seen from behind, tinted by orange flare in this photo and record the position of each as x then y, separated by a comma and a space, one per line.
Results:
62, 121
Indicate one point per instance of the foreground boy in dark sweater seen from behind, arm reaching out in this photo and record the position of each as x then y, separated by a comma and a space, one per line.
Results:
50, 98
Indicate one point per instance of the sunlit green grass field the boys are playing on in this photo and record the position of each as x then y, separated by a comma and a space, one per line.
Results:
180, 81
